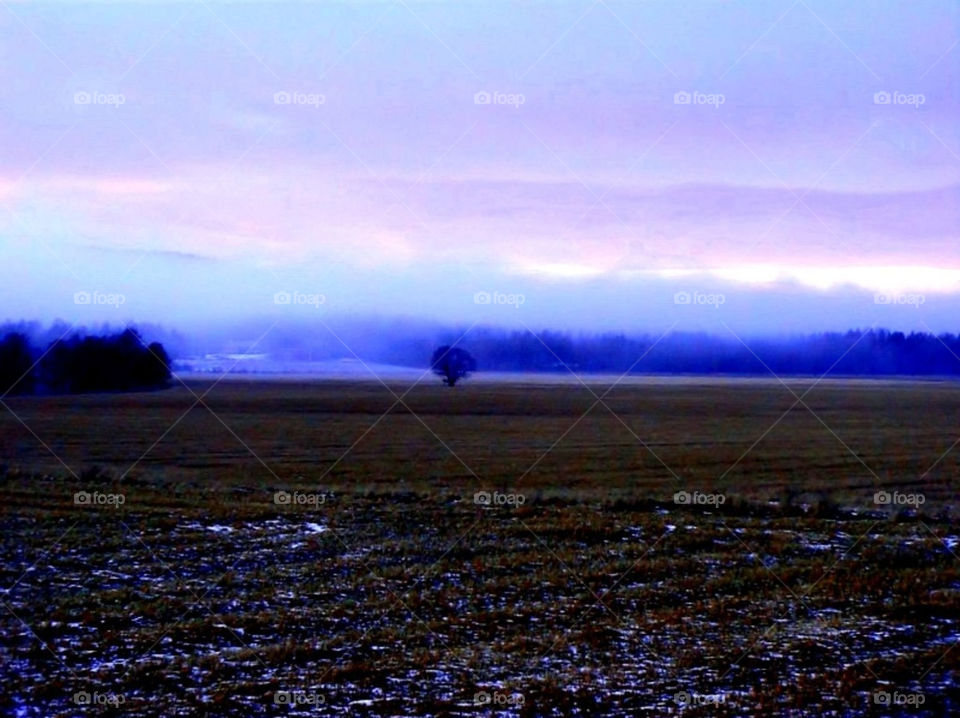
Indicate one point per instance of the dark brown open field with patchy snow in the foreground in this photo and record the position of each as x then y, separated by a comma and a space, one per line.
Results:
376, 584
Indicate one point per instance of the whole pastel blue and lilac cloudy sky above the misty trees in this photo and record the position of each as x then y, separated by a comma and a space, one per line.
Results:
771, 166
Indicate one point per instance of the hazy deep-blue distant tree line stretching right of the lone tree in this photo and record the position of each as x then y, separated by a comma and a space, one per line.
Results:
867, 353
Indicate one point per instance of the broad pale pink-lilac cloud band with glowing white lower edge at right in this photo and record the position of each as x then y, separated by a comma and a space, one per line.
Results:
557, 229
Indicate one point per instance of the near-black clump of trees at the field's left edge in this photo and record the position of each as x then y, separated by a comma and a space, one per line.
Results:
118, 362
